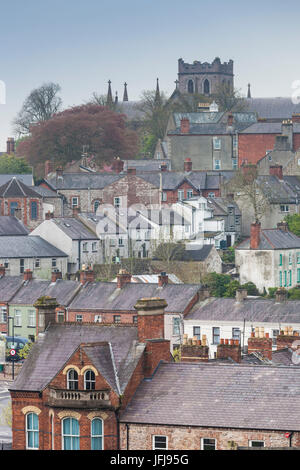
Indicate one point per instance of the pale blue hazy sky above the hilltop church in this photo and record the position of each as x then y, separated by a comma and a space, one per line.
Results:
82, 44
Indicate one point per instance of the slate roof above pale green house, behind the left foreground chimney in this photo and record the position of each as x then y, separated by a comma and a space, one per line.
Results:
62, 290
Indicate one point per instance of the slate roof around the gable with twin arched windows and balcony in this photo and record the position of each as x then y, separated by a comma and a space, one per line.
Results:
50, 353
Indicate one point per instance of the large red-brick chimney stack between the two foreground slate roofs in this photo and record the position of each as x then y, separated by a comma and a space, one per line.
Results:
151, 331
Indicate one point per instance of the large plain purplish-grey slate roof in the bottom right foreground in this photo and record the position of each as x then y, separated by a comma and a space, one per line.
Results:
229, 396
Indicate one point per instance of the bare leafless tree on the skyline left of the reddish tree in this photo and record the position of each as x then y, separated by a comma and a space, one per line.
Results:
41, 104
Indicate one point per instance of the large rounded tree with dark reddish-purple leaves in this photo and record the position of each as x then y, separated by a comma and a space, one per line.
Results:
62, 138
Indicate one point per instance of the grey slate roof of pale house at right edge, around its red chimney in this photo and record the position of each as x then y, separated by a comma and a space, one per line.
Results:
273, 239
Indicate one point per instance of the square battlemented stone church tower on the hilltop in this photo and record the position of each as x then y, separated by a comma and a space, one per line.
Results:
204, 78
